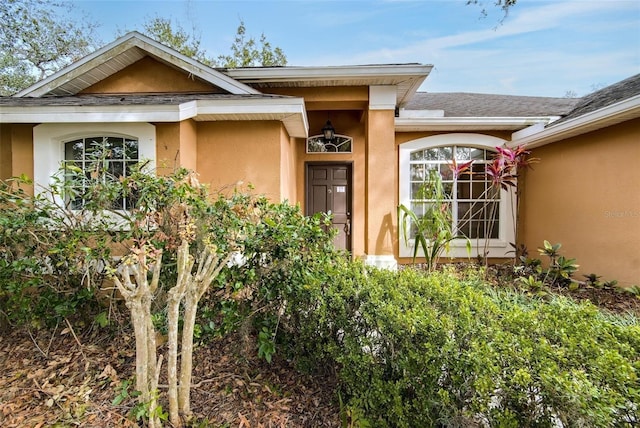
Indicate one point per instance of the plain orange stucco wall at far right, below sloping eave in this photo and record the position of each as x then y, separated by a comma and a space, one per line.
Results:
584, 194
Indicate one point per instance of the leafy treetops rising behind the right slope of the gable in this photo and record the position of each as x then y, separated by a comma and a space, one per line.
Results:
244, 52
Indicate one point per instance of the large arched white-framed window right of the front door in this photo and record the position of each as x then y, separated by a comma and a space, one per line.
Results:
480, 213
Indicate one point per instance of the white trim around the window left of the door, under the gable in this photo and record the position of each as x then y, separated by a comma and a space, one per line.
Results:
49, 138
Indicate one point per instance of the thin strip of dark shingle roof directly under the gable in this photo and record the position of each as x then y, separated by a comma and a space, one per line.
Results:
125, 99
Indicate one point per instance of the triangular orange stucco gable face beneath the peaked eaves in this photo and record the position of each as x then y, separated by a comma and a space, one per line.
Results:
151, 76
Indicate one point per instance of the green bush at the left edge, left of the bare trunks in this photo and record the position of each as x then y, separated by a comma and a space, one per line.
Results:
41, 277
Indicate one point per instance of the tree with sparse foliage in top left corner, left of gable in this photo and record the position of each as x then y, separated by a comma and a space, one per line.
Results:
36, 40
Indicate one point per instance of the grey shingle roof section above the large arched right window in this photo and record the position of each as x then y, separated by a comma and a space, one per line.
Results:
461, 104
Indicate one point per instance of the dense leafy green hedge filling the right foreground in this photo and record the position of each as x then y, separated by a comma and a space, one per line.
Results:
415, 350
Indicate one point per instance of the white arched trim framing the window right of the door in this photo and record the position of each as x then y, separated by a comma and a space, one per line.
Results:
498, 248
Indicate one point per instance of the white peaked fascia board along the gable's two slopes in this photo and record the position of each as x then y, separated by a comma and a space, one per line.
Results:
128, 41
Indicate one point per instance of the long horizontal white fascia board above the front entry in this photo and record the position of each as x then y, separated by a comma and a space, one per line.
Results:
276, 74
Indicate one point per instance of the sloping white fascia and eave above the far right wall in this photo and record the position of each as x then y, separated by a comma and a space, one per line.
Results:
610, 115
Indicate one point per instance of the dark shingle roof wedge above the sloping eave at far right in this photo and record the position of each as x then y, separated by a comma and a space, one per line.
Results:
604, 97
